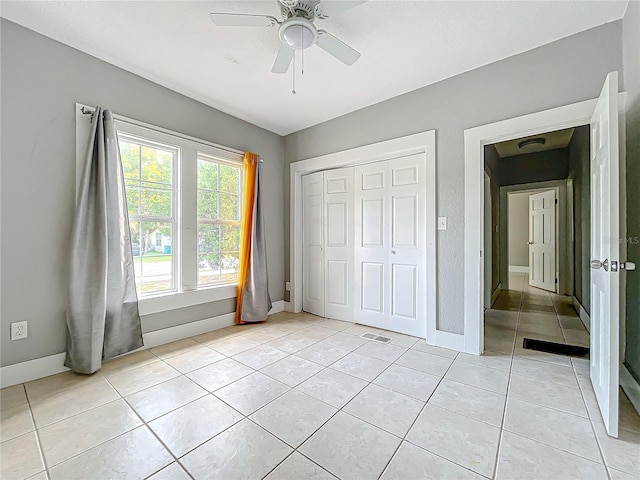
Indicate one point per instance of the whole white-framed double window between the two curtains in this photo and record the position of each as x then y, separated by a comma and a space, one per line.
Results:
183, 198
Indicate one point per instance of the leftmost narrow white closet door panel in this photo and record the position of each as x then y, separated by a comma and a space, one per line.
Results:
313, 299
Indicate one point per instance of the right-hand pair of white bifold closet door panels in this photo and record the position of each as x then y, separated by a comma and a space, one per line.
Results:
390, 241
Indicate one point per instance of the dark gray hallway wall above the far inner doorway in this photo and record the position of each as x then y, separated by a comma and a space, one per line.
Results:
534, 167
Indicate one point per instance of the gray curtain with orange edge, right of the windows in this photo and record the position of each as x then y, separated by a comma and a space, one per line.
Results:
256, 301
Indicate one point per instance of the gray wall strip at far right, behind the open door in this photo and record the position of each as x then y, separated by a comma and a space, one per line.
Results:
631, 59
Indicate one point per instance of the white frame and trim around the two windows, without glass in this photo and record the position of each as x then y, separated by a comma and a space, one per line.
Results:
185, 239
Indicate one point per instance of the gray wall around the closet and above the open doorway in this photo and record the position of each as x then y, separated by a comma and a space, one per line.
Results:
563, 72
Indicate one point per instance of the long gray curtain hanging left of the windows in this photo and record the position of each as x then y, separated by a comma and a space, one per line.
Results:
102, 309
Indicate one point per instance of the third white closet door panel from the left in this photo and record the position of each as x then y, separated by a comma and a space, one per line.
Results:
372, 244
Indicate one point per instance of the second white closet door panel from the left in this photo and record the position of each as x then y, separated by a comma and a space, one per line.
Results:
339, 246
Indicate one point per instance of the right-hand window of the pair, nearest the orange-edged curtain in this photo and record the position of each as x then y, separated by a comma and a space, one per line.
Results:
218, 220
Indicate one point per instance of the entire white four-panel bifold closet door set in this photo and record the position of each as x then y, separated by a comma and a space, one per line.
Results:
364, 244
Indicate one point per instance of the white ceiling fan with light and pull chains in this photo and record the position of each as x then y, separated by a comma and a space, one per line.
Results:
296, 30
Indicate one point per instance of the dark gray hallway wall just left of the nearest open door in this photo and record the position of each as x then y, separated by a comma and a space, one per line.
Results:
579, 172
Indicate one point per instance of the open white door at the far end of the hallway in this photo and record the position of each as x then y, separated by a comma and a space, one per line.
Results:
542, 240
